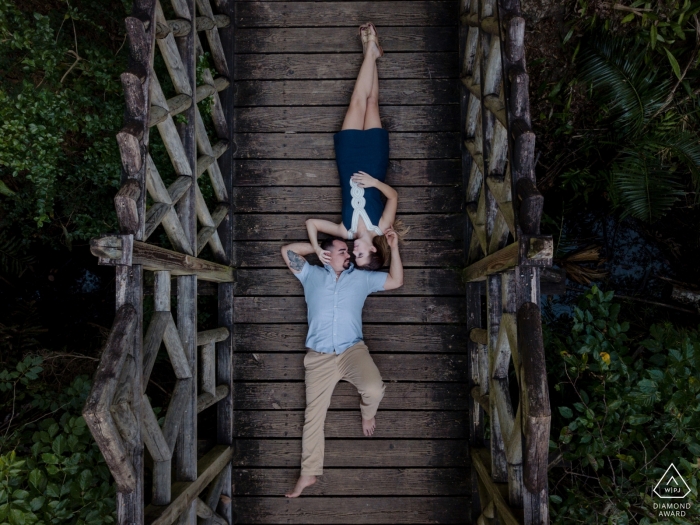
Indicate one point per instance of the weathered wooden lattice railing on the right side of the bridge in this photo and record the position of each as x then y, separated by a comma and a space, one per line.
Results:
505, 255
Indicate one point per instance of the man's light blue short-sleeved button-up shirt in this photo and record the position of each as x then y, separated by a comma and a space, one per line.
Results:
335, 306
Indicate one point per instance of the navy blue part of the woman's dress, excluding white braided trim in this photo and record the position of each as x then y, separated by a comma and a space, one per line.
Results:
362, 150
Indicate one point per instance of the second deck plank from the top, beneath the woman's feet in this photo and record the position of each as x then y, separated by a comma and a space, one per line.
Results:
343, 39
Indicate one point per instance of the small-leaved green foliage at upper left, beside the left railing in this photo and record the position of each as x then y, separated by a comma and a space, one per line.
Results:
60, 106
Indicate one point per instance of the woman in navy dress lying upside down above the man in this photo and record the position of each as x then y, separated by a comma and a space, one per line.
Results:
362, 155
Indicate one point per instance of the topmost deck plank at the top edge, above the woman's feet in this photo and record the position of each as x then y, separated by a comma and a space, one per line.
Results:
348, 14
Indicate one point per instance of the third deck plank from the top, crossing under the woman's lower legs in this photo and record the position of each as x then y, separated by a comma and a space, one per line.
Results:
342, 66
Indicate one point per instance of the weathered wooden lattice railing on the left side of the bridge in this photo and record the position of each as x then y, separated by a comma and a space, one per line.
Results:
118, 412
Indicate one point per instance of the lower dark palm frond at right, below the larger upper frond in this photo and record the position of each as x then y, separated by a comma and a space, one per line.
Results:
646, 187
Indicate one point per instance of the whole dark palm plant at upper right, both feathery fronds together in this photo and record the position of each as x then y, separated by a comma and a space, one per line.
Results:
655, 153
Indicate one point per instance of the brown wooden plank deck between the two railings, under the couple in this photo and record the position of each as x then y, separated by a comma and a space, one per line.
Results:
294, 71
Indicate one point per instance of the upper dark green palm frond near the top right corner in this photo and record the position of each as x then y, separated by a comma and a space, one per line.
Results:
623, 81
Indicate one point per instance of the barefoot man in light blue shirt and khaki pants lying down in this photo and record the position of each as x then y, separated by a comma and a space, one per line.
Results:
335, 295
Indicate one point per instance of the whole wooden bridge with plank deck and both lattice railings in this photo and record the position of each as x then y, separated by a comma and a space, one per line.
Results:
252, 159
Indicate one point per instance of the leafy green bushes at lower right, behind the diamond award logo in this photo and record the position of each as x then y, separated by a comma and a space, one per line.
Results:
625, 412
